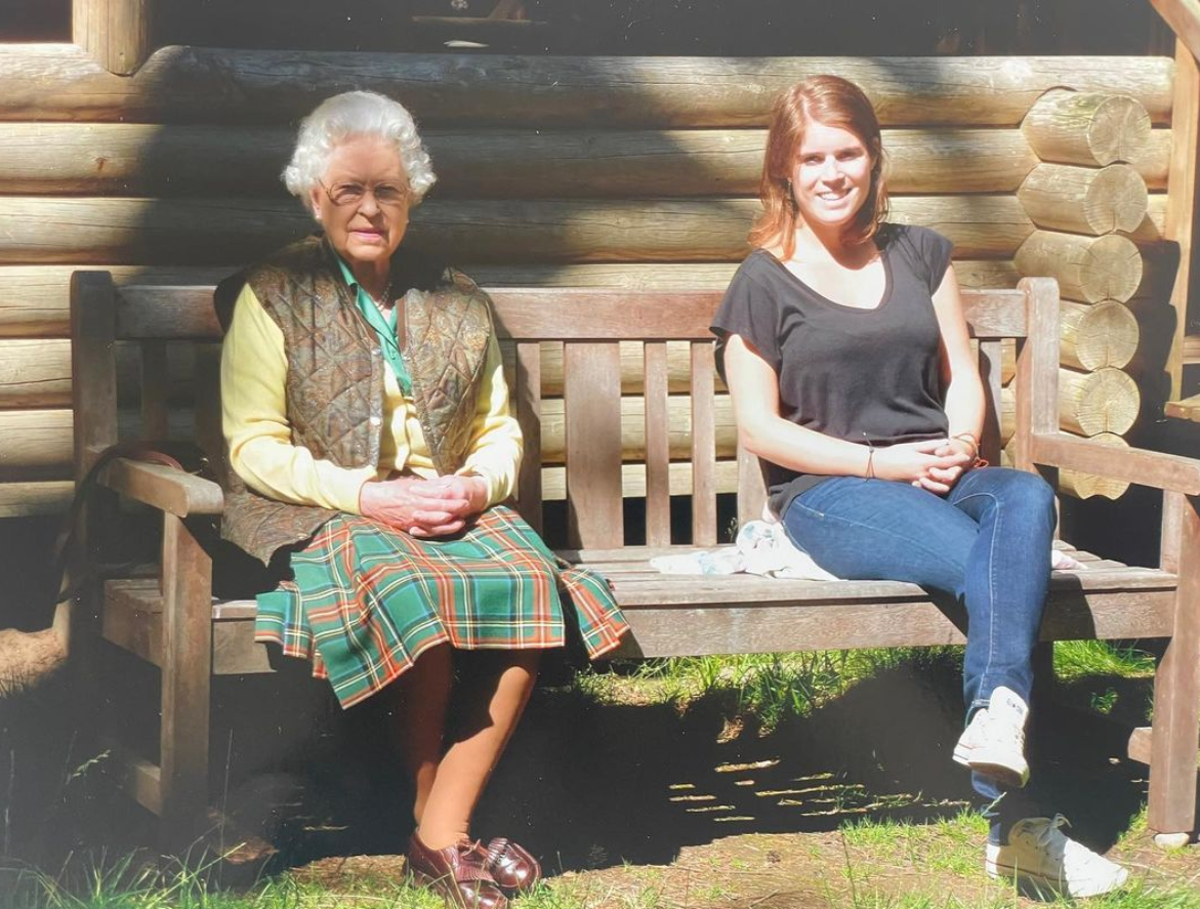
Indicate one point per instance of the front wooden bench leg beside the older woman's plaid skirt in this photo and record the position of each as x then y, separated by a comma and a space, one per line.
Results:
187, 684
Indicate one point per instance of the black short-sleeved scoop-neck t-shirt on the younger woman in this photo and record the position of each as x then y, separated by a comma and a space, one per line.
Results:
855, 375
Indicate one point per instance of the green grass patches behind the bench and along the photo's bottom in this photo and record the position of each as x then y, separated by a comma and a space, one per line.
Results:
878, 864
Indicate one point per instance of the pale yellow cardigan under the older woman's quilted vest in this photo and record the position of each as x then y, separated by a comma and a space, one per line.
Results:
254, 377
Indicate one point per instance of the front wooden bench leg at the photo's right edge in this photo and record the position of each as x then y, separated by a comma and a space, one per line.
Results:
1177, 731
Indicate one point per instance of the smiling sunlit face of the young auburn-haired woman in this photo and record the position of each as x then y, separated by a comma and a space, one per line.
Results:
833, 176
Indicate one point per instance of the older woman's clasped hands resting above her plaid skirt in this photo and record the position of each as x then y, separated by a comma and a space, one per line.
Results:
424, 508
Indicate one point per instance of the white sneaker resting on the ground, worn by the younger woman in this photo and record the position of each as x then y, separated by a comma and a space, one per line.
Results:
1045, 859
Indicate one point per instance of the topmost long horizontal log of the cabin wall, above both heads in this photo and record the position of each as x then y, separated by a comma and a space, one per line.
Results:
188, 85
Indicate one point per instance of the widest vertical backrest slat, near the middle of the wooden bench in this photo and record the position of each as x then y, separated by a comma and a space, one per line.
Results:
592, 396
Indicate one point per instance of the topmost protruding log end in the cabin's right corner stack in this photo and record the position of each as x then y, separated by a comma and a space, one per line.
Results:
1088, 129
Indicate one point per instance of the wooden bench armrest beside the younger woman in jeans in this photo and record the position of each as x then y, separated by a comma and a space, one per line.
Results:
1171, 473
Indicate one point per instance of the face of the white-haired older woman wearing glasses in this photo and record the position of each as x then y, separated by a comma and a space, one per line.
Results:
363, 200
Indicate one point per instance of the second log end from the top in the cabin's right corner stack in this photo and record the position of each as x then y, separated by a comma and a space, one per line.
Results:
1085, 201
